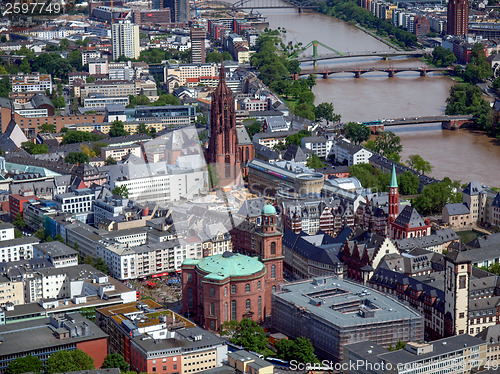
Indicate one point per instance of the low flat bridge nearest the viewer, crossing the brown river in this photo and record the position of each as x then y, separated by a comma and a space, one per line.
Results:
447, 122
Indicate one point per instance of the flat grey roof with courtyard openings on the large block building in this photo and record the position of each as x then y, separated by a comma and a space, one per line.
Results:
342, 303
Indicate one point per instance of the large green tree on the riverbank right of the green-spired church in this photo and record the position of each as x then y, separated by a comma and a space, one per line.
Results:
436, 195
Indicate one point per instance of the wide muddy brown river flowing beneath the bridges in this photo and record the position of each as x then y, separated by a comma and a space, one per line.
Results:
462, 155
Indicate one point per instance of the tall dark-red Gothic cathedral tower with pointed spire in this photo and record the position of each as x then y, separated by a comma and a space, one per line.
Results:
223, 146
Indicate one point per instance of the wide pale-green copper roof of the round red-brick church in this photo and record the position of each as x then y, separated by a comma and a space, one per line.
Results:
228, 265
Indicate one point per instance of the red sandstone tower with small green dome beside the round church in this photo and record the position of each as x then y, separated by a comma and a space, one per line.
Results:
268, 246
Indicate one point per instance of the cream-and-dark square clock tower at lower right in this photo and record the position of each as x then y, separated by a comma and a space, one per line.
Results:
456, 293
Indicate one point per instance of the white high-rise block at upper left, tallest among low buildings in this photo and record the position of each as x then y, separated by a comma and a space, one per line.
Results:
125, 40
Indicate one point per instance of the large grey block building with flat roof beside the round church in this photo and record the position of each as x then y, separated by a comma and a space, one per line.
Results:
333, 313
